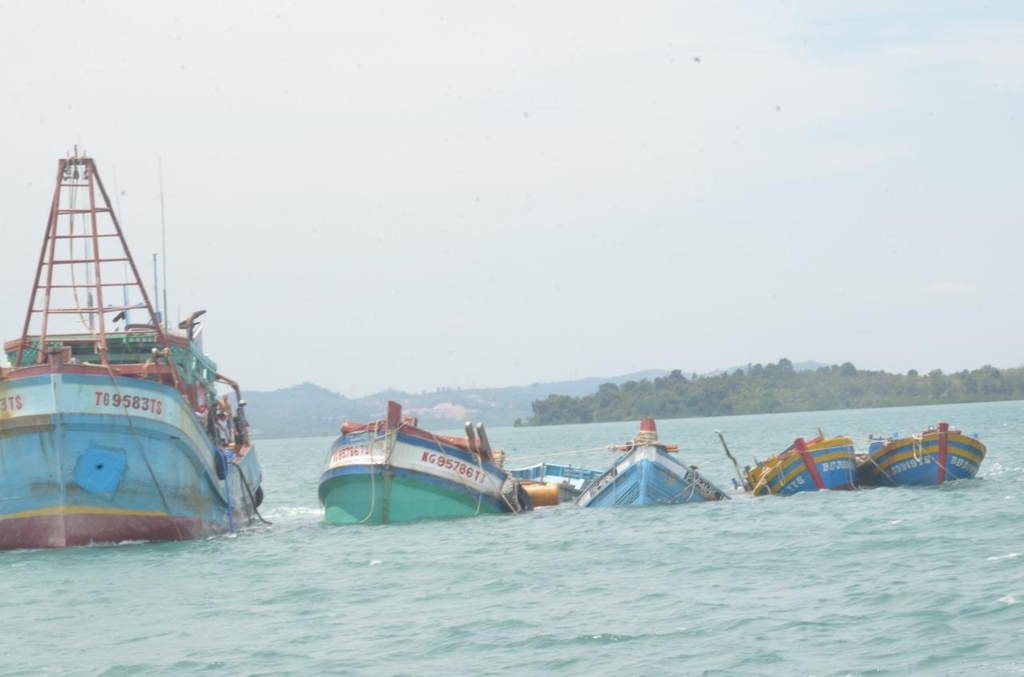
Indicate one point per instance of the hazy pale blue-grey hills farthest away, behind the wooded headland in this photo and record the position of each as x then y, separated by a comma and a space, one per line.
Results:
309, 410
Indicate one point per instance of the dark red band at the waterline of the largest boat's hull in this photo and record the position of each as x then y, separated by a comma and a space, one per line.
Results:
77, 530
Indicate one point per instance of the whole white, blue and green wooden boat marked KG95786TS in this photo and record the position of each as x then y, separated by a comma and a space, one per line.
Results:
393, 472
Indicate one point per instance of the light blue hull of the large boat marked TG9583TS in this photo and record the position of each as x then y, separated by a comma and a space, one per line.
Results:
77, 470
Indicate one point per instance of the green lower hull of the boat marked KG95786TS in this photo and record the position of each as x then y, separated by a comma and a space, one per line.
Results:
380, 499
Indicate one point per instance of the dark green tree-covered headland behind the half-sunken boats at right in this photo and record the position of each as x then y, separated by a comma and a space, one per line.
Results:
777, 389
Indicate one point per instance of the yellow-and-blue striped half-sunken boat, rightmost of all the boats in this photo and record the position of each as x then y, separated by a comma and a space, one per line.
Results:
936, 456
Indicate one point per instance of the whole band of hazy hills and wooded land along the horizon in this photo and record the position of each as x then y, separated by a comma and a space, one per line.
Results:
308, 410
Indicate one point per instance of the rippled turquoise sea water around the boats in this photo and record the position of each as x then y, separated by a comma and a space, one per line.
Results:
882, 582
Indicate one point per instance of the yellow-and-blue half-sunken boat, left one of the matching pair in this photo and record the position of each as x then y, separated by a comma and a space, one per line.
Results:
806, 467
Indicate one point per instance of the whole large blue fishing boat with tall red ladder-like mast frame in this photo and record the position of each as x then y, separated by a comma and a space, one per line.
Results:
113, 432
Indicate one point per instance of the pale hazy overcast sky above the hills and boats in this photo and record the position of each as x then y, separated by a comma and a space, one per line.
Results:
425, 195
